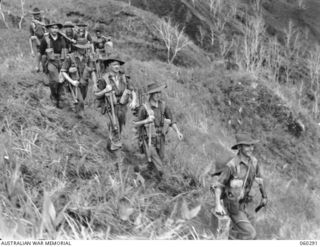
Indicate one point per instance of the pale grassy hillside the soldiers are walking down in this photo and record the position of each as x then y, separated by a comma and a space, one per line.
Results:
56, 167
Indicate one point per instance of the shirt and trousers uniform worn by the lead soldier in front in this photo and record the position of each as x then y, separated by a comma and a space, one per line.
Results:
235, 182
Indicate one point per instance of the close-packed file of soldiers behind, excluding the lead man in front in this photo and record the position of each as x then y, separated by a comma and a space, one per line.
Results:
71, 59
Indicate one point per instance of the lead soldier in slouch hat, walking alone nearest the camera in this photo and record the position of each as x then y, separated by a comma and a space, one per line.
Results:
233, 187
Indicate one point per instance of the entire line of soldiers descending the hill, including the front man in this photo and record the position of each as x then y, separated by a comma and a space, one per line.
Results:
71, 59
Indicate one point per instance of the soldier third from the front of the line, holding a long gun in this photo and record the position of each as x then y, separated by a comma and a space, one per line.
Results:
113, 92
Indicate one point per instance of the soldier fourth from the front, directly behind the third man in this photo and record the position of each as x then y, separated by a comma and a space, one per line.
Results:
77, 69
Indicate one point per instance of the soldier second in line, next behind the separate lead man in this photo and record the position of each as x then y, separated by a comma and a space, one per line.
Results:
150, 124
